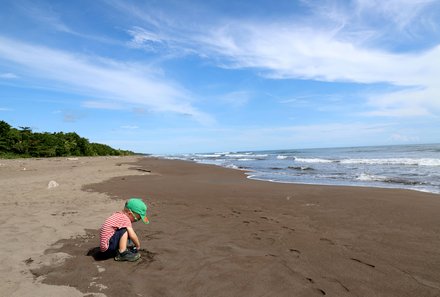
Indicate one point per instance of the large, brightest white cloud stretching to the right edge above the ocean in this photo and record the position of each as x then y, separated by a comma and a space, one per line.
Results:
288, 52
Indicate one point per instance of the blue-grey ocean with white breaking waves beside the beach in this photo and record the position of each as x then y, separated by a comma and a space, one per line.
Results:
414, 167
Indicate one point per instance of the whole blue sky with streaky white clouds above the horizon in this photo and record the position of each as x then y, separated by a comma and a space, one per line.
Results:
166, 77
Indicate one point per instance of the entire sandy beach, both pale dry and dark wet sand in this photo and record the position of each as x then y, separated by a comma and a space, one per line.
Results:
213, 232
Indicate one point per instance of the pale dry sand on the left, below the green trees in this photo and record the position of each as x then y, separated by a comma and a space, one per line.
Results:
33, 216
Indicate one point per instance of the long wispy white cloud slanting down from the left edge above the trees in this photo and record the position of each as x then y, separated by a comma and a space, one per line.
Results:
105, 79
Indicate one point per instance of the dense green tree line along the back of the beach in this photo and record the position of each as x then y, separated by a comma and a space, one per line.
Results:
23, 142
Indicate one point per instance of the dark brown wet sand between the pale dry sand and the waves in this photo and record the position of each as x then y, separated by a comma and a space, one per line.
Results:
215, 232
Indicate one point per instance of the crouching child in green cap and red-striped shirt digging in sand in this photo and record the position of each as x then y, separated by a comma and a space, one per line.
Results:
117, 230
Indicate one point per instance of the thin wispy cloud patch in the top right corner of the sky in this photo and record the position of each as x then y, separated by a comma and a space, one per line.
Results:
375, 21
